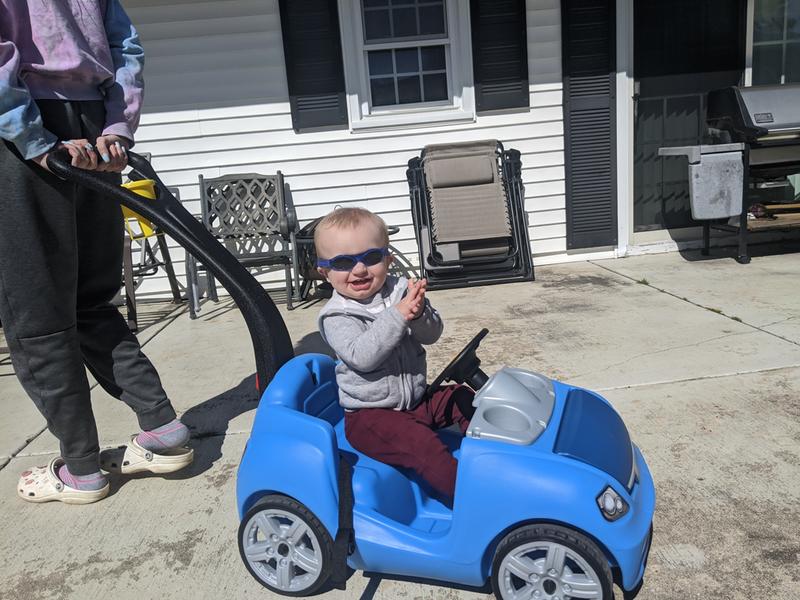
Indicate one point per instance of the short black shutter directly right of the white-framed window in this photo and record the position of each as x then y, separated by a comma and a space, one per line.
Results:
499, 54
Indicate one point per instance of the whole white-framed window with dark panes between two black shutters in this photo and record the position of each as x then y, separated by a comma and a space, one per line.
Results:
407, 62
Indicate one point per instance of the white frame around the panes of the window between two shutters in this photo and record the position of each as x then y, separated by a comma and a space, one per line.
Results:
458, 53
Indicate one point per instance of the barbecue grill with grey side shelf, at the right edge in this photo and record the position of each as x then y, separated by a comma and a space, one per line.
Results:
755, 135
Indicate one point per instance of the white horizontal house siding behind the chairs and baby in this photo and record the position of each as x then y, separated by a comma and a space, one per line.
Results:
217, 102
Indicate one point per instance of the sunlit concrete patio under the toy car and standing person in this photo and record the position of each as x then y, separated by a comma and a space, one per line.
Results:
701, 358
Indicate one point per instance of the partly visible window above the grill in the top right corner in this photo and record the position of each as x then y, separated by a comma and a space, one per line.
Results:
776, 42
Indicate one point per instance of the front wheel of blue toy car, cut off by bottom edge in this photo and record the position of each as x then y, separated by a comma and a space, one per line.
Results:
549, 561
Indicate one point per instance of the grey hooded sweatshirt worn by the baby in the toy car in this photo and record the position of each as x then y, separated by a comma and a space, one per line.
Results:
382, 361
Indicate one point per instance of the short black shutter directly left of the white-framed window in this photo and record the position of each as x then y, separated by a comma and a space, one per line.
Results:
313, 50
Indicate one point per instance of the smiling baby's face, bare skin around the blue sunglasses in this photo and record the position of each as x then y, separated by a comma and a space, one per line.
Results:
363, 281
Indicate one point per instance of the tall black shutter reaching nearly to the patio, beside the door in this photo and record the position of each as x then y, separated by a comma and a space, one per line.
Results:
589, 124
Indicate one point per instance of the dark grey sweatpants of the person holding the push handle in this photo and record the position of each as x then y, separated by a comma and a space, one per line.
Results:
60, 267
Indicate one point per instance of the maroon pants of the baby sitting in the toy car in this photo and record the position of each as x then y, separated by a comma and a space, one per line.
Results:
408, 438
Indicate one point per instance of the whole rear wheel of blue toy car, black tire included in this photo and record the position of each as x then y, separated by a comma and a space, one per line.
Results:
282, 510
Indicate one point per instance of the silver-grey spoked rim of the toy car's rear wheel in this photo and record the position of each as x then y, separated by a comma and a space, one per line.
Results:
282, 550
